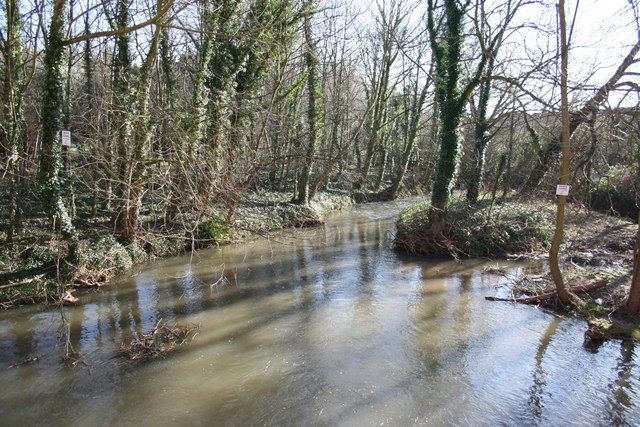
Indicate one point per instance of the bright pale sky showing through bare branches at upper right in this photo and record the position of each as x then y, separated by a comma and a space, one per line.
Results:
602, 35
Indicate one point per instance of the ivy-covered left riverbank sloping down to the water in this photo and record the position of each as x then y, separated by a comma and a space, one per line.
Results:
38, 268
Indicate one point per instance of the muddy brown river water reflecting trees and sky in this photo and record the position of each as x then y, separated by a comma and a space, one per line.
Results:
327, 326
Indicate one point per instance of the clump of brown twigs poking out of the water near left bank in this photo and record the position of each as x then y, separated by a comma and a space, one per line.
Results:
162, 339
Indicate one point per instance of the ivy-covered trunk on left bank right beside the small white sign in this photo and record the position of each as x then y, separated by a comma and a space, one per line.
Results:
51, 121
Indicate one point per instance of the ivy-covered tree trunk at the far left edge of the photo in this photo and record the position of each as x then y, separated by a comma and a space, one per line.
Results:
13, 116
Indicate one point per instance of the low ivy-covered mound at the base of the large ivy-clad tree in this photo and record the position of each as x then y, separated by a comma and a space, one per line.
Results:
513, 228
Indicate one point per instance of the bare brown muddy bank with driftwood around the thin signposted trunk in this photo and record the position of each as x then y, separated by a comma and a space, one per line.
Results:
597, 263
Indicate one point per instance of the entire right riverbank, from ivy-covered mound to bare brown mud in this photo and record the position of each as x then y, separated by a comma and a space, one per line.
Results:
596, 257
